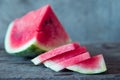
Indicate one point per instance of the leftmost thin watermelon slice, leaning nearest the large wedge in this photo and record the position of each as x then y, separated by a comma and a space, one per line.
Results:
55, 52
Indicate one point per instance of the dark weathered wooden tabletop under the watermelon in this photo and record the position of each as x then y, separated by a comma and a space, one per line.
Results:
18, 68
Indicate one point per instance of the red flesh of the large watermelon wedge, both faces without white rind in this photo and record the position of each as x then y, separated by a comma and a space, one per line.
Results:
41, 25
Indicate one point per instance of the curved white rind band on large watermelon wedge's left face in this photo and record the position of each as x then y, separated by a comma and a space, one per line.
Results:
8, 47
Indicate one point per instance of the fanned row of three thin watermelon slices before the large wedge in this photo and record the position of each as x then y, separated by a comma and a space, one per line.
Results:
73, 57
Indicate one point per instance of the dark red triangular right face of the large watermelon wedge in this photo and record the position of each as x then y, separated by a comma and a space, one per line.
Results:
49, 28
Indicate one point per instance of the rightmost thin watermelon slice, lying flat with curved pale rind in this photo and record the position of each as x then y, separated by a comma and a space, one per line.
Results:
94, 65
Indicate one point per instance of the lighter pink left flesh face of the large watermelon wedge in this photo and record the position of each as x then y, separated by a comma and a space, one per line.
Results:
25, 28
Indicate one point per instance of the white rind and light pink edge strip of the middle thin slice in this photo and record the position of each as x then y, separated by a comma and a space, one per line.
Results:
57, 66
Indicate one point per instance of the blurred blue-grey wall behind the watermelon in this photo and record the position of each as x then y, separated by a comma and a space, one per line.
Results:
86, 21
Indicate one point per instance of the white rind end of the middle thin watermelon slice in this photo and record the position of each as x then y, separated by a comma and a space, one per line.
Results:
53, 65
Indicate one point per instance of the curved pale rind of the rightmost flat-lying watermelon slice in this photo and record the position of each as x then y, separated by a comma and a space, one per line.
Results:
80, 69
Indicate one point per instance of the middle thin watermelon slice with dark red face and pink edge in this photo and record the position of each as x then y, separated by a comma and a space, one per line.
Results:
60, 62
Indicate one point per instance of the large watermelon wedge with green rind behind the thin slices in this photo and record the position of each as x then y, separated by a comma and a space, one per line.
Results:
35, 32
